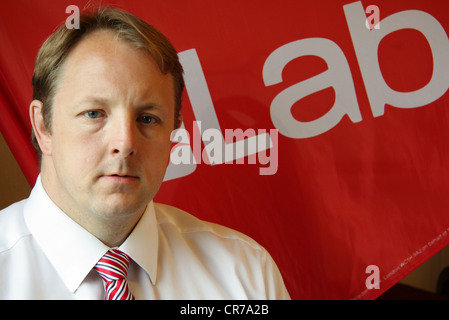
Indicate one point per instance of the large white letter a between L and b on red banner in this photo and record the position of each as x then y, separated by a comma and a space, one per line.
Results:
337, 76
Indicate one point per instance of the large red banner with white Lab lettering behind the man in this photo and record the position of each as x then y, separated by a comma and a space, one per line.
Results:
319, 128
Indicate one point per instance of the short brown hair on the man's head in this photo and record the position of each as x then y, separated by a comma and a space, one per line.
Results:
128, 27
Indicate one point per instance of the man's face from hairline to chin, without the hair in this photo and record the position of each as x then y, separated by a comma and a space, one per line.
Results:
113, 113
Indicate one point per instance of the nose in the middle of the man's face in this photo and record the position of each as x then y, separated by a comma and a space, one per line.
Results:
123, 137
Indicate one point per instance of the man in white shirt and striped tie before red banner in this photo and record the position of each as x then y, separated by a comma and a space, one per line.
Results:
106, 99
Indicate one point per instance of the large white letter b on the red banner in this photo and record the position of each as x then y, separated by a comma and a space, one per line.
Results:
366, 45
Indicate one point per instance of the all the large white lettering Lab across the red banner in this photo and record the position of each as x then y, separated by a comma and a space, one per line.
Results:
338, 76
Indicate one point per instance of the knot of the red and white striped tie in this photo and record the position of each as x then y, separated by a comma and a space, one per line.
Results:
113, 266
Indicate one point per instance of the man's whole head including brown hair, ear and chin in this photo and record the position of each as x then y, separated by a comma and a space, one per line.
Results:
107, 97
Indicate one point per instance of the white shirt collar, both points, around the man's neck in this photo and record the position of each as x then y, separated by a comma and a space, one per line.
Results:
73, 251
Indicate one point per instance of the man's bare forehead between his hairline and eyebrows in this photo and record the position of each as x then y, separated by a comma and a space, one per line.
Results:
102, 63
